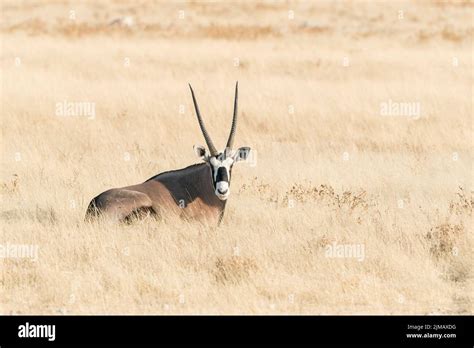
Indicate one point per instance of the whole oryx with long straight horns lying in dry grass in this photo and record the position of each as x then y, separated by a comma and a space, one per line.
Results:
199, 191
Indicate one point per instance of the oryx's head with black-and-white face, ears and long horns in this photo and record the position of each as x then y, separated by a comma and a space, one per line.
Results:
221, 162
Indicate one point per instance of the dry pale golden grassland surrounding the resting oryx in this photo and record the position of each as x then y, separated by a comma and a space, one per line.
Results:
331, 168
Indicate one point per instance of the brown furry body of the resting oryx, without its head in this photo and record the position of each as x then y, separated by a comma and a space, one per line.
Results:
187, 193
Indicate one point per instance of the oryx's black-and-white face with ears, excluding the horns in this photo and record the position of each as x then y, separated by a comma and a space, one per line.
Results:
221, 167
